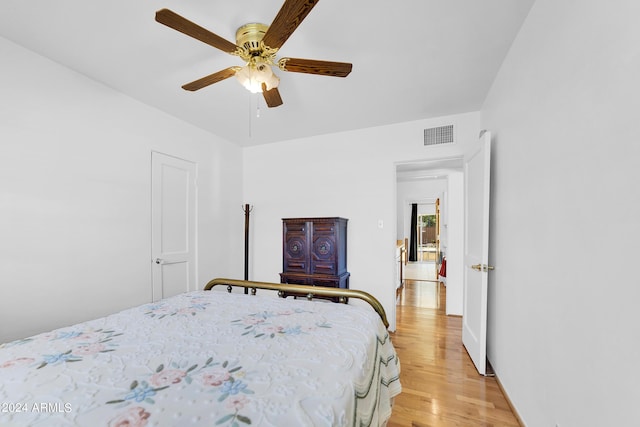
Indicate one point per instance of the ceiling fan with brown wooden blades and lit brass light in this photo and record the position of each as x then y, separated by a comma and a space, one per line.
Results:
257, 45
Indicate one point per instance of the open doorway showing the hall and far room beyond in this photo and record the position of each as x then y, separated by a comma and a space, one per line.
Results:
438, 184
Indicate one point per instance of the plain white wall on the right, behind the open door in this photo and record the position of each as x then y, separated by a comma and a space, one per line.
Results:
564, 324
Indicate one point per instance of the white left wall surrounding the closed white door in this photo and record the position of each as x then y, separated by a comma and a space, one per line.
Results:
75, 159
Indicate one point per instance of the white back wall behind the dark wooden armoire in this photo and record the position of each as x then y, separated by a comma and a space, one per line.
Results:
350, 174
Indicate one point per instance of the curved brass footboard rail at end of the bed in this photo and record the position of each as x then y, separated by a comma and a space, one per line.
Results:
310, 291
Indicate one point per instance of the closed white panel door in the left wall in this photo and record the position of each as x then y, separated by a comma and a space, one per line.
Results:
173, 223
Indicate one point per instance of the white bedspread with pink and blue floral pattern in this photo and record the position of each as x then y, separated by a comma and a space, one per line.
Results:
206, 358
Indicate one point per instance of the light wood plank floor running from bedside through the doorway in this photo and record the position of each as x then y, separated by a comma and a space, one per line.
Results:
440, 385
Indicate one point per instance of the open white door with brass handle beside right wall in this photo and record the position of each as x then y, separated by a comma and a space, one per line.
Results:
474, 311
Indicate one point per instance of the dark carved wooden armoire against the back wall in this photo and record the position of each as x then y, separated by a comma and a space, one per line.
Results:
314, 252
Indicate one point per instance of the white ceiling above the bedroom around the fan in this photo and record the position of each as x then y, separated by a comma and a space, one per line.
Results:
412, 59
